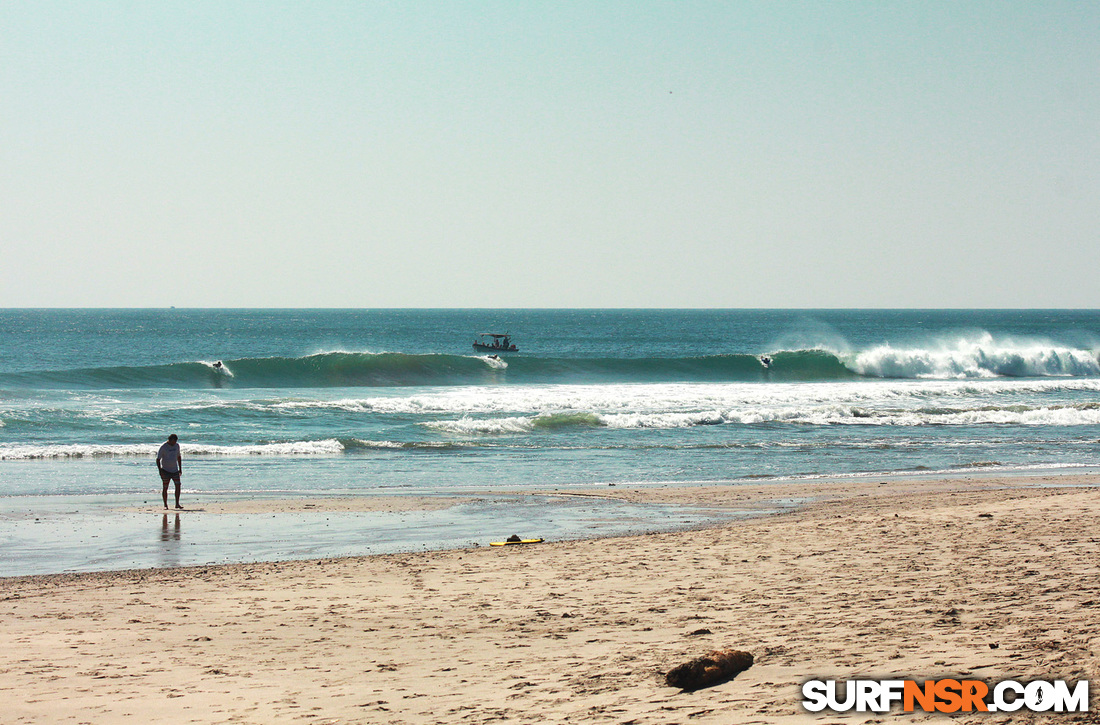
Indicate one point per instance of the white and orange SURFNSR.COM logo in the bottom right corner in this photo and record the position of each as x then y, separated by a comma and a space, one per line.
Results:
947, 696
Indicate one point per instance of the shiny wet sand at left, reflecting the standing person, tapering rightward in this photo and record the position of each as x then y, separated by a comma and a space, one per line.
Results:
53, 535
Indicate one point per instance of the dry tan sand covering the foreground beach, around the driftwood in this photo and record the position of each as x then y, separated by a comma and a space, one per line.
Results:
905, 578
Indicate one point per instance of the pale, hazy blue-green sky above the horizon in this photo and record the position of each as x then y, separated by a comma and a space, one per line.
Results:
549, 155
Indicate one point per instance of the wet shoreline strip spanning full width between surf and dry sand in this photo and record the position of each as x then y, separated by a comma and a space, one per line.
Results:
67, 534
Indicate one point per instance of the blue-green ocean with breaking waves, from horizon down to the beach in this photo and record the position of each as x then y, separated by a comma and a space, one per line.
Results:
303, 403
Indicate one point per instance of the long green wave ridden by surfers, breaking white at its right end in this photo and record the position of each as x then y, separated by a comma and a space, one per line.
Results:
967, 358
